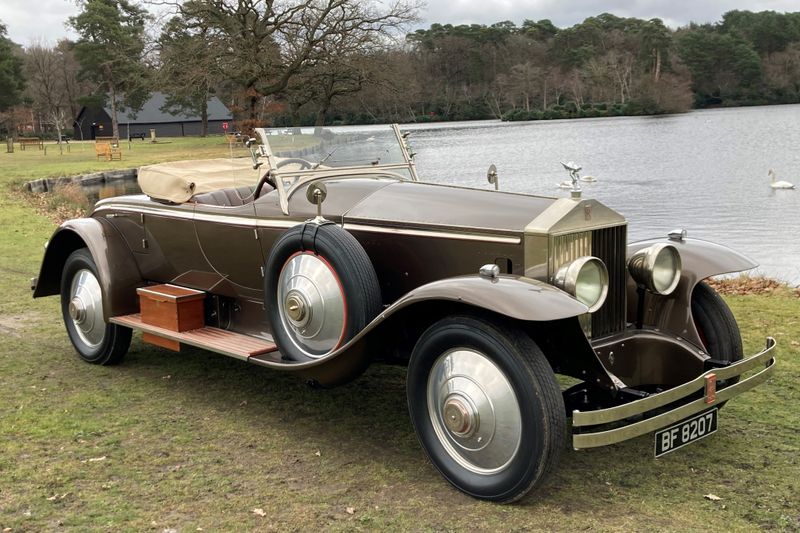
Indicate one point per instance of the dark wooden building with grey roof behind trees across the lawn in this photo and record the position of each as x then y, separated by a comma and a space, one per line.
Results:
94, 122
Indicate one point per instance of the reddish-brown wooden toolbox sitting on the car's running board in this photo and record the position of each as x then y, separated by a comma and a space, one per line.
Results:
170, 307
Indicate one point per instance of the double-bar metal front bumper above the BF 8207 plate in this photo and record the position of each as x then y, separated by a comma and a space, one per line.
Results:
597, 421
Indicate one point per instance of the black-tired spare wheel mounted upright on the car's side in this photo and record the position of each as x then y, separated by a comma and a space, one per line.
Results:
347, 262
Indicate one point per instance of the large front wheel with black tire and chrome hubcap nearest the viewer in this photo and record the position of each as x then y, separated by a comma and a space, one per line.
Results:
516, 356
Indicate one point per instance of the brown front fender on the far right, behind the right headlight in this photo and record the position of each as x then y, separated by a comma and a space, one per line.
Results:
700, 260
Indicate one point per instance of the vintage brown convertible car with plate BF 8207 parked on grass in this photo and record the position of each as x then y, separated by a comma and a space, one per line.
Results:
325, 252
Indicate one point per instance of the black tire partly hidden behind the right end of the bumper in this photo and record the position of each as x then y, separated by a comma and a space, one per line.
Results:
717, 327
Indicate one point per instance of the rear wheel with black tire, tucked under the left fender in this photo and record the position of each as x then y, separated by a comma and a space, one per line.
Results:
105, 344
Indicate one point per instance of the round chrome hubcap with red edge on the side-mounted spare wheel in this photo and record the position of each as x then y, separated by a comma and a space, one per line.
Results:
312, 304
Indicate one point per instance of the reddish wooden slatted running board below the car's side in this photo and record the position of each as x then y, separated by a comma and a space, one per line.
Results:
214, 339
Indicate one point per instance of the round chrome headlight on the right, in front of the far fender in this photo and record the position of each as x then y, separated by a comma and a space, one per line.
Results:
657, 268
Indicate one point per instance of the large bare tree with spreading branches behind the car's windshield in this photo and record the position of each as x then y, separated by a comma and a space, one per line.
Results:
261, 45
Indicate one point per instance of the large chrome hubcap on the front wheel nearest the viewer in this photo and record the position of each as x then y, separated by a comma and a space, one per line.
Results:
474, 411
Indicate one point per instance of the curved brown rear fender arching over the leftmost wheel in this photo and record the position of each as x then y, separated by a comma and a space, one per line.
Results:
119, 275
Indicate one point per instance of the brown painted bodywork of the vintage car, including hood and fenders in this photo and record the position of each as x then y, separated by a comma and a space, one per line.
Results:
422, 247
